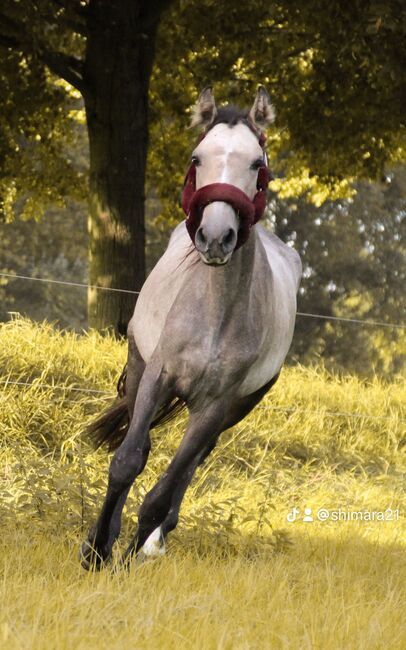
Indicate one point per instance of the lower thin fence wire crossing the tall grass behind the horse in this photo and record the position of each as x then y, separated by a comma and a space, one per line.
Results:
284, 409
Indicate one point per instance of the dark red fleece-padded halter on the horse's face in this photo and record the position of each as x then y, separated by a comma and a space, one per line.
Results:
249, 212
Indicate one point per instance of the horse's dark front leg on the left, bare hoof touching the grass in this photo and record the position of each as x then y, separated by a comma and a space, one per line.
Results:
127, 463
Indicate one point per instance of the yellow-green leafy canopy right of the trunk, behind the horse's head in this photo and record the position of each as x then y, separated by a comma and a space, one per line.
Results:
335, 73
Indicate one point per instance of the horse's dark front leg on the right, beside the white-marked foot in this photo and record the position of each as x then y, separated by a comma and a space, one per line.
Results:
200, 437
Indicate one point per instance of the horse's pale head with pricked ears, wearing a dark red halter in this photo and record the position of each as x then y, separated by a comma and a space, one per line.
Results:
225, 188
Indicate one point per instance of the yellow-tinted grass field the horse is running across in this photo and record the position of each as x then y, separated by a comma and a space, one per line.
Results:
237, 574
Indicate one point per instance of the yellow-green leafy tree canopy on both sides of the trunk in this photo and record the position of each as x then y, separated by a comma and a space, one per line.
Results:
335, 73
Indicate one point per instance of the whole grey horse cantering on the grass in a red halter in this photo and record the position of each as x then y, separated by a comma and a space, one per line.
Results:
211, 328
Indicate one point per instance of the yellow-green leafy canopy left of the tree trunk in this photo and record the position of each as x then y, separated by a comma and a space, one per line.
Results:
41, 121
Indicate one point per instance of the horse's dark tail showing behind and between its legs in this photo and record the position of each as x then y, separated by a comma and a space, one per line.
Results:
111, 427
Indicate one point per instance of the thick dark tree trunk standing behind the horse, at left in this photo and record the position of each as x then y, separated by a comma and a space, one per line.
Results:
119, 57
